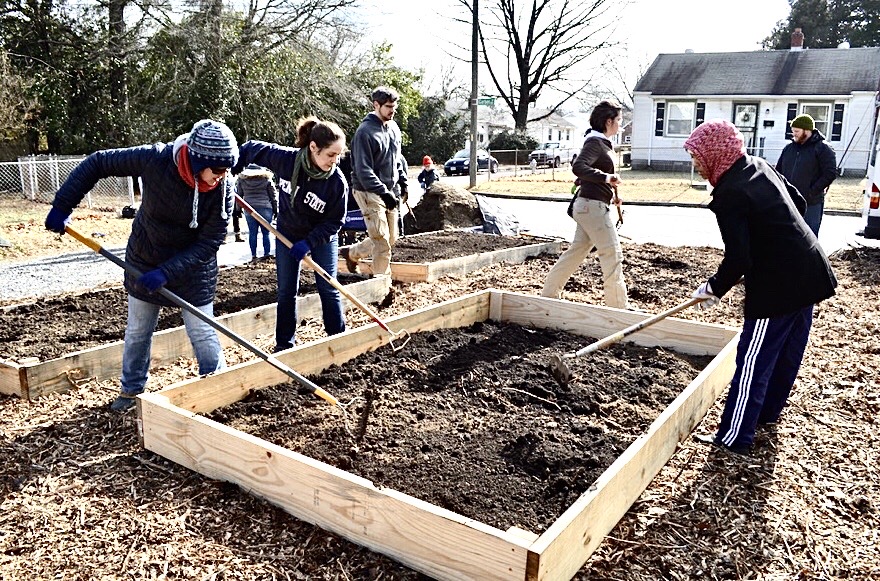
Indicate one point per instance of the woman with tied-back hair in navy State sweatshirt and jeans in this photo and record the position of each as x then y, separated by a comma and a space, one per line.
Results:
311, 208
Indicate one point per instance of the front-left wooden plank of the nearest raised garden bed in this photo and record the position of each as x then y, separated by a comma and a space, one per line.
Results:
435, 541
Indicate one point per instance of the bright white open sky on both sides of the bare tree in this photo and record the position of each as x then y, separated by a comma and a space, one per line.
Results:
420, 30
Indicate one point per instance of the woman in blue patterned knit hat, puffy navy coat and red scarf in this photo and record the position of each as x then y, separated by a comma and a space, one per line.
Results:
175, 235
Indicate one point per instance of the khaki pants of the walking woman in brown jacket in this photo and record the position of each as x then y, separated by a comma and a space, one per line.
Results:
594, 228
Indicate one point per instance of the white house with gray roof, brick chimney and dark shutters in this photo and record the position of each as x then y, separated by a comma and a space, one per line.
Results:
760, 92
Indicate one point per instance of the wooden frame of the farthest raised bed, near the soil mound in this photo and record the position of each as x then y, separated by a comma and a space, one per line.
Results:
432, 270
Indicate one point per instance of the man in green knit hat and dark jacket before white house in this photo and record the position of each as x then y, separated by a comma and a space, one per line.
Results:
810, 165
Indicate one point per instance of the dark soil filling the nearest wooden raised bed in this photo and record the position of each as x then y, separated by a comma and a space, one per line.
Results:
472, 420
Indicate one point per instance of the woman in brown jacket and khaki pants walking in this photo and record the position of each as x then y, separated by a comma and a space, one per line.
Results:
591, 211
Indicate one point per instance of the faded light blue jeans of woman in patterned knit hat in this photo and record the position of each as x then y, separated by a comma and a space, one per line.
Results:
142, 320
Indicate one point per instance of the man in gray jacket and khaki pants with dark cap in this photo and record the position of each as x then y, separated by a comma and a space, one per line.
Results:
378, 180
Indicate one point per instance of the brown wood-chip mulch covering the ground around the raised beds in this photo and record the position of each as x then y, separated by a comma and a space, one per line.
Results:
80, 499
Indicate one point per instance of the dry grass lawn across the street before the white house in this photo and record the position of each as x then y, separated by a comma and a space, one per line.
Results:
653, 186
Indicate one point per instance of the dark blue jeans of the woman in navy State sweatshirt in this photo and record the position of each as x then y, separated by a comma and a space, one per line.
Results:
288, 271
